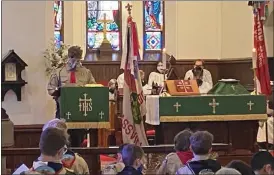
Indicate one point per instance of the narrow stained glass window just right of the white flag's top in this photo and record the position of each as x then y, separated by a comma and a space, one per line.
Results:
153, 25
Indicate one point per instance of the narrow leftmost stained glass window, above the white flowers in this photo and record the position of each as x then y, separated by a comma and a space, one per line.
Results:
58, 22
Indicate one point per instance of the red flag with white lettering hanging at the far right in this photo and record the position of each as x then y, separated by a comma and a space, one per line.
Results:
262, 70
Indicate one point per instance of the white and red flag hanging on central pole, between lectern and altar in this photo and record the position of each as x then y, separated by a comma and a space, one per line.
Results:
134, 107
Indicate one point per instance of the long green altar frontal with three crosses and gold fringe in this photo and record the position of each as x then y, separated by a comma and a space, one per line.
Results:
212, 108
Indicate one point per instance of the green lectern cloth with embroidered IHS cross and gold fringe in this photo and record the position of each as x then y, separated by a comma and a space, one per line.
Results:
85, 107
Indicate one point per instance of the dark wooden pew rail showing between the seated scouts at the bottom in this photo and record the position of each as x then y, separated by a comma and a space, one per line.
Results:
16, 156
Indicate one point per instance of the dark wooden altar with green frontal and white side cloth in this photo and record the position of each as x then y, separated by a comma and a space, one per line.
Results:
232, 119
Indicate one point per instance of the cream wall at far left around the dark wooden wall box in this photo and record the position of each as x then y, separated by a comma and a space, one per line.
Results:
26, 28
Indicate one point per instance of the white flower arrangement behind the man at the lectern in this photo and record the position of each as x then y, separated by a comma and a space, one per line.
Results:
55, 57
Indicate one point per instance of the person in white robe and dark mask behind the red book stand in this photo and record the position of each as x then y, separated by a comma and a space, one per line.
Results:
206, 78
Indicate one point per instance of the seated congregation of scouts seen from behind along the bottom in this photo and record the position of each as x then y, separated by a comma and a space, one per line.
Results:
192, 155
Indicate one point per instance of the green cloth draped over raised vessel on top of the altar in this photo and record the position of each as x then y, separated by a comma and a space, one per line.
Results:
228, 87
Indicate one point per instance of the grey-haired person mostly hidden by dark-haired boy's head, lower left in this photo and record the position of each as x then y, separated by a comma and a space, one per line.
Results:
70, 159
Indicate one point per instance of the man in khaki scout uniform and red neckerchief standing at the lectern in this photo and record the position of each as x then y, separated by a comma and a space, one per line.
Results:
71, 74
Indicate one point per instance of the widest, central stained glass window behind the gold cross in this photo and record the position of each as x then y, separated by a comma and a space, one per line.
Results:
103, 16
